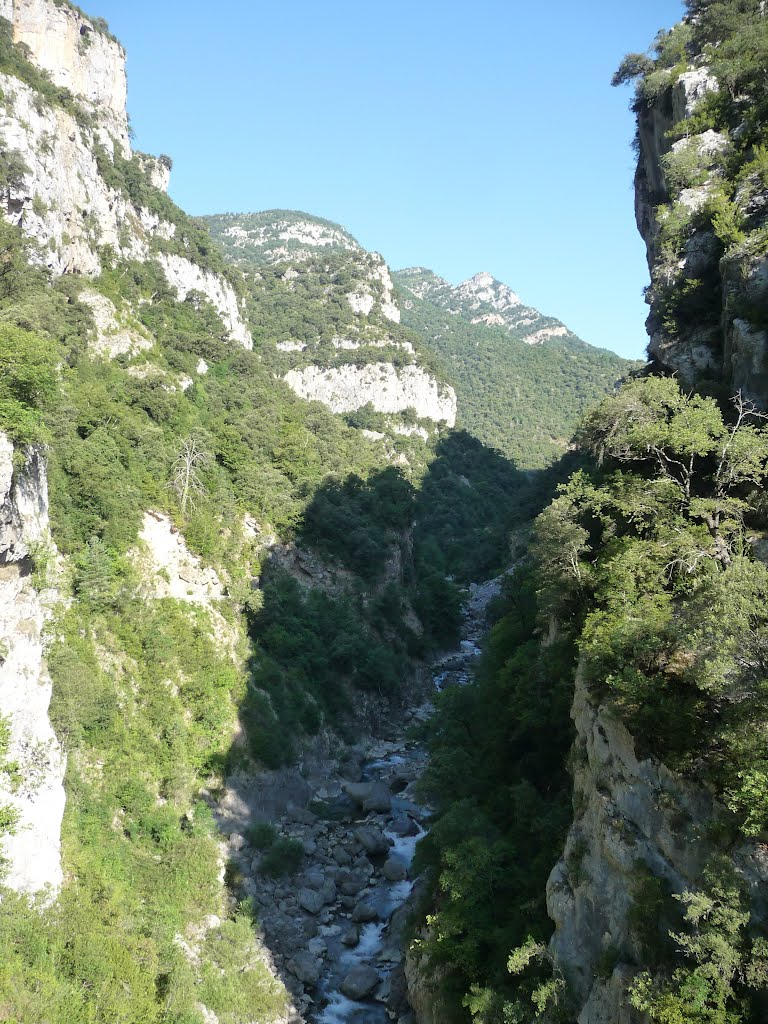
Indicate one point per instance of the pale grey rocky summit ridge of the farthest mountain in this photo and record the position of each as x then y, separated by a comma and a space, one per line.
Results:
483, 300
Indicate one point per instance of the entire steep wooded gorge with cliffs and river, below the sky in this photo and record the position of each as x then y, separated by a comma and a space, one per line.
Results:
374, 649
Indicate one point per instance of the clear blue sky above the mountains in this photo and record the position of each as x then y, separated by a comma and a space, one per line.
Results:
460, 137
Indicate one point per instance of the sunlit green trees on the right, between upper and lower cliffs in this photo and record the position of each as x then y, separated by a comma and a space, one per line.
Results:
654, 560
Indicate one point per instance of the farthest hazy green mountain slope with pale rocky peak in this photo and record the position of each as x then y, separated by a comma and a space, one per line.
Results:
518, 392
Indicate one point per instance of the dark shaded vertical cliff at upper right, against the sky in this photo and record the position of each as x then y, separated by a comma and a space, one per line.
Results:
706, 291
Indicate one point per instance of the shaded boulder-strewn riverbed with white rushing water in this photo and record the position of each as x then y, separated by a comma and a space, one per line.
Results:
336, 926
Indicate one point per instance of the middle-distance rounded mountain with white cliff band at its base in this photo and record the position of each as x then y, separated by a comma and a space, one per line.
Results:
325, 318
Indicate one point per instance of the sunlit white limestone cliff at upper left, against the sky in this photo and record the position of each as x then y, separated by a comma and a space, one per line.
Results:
66, 197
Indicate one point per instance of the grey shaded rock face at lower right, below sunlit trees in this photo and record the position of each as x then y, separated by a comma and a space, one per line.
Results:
632, 814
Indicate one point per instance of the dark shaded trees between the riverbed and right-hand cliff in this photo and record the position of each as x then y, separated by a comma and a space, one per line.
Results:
497, 776
